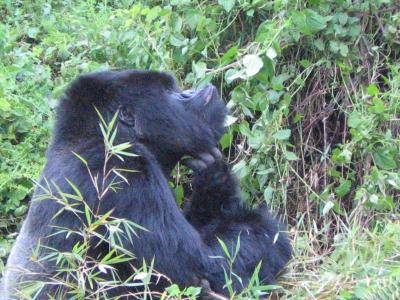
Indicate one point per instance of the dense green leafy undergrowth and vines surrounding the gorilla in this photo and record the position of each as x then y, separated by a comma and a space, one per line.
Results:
314, 93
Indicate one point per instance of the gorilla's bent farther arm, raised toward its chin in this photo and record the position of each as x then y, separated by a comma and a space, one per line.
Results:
217, 210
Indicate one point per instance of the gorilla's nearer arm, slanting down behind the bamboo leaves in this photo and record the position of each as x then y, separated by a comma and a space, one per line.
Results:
174, 244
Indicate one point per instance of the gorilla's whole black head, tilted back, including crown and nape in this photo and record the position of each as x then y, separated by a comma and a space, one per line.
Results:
153, 111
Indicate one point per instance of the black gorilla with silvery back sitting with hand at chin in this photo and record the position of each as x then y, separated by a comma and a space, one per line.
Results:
163, 124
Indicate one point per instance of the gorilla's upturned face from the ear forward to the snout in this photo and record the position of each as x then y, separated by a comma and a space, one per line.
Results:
170, 122
